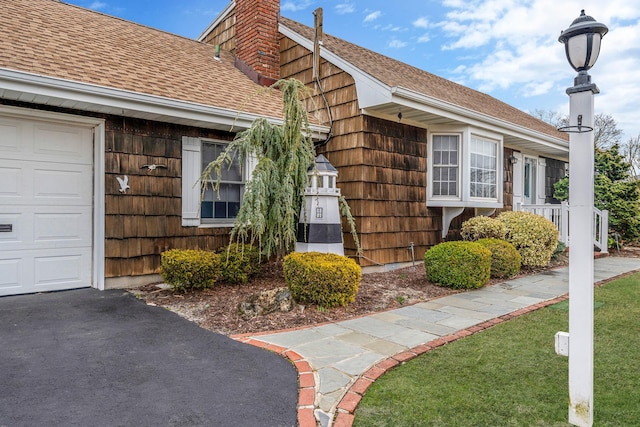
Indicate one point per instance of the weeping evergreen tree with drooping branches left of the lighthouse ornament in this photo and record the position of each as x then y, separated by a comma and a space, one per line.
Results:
273, 197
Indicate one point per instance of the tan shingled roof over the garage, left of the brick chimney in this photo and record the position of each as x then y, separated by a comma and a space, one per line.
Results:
61, 41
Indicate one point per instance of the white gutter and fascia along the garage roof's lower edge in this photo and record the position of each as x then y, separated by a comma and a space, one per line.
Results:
124, 102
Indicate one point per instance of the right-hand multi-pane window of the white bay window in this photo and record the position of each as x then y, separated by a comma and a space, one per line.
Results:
483, 168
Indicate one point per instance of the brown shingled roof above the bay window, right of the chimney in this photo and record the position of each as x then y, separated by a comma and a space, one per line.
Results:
396, 74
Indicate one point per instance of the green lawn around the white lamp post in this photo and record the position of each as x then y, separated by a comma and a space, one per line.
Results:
509, 375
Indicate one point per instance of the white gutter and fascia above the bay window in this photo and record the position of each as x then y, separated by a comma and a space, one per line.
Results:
429, 104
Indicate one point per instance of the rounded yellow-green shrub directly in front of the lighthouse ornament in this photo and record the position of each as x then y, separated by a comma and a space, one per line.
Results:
328, 280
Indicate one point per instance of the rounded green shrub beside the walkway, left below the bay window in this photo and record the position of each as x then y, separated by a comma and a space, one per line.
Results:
458, 265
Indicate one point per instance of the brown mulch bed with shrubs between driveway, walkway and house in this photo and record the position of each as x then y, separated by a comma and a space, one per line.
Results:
216, 309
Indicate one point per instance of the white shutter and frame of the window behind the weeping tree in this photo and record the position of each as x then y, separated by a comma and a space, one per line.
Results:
191, 170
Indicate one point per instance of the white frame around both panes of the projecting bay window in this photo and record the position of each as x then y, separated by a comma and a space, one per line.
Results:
464, 170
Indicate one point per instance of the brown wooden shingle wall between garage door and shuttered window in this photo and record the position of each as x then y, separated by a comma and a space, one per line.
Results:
146, 220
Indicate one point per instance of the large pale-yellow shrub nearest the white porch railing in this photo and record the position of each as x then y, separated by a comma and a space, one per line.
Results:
534, 236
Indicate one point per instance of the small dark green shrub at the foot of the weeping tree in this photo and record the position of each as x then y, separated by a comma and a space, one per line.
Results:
239, 263
